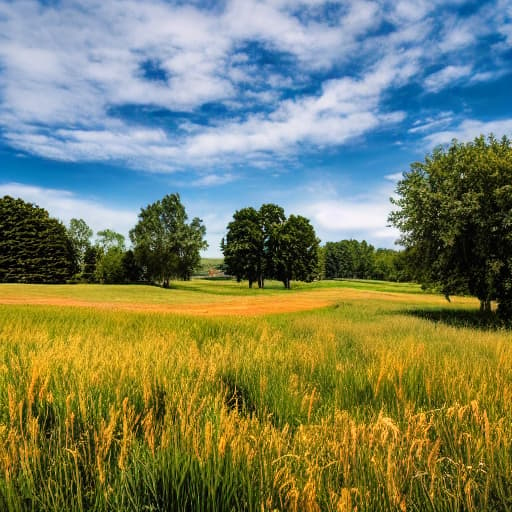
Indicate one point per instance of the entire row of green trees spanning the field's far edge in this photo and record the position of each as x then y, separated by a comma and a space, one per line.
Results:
454, 212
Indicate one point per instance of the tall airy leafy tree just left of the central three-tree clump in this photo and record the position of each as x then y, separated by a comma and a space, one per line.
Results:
164, 243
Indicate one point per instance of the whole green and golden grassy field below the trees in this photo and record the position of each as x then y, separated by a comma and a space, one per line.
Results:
353, 396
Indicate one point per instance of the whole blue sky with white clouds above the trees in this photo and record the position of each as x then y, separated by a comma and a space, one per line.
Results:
105, 107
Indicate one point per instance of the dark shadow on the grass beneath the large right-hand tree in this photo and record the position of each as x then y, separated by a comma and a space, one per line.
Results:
472, 318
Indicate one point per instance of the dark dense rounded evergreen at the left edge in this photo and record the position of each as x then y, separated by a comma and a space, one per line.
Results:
34, 248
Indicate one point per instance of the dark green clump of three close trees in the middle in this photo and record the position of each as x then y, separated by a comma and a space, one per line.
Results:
263, 244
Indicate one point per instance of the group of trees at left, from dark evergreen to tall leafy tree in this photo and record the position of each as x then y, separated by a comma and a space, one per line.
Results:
36, 248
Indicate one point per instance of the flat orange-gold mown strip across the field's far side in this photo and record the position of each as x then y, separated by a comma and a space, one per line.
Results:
184, 302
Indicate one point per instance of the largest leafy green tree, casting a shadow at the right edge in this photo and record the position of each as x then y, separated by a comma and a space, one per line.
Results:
455, 216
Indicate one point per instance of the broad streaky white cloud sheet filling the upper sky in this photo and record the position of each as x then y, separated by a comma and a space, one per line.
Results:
62, 88
